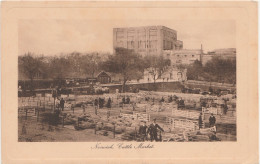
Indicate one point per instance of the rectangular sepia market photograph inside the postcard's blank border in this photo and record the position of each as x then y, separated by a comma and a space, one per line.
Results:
149, 81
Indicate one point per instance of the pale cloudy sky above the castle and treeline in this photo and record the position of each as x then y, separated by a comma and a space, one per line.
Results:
54, 37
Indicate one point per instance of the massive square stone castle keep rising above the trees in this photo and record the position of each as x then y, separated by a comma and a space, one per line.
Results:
147, 40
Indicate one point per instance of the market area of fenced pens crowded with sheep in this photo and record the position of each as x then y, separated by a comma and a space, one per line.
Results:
118, 120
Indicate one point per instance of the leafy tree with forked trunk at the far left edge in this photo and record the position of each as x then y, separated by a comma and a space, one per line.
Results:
30, 65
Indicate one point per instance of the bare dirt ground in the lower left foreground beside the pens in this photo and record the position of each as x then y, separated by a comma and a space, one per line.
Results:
37, 132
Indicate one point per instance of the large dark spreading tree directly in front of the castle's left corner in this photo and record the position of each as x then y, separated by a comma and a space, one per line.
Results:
125, 62
